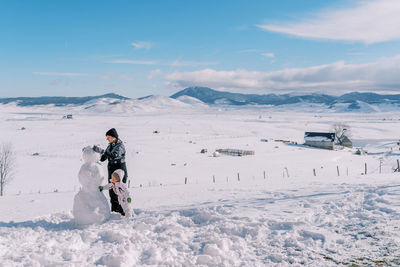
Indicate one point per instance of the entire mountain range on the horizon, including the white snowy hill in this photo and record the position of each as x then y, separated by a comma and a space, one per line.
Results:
203, 97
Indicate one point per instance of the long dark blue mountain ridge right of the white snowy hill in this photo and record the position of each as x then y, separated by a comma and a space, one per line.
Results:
213, 97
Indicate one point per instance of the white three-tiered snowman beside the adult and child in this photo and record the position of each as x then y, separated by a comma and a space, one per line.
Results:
90, 205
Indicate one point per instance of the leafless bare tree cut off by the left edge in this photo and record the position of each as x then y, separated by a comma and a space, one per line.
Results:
7, 165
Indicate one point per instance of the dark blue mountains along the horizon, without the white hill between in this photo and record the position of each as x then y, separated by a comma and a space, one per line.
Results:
352, 101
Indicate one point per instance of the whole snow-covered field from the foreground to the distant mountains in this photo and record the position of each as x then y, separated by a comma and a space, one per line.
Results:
288, 216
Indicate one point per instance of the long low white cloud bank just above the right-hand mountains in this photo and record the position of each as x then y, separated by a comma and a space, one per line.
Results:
383, 74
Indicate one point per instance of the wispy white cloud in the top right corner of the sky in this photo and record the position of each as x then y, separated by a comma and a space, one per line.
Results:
370, 21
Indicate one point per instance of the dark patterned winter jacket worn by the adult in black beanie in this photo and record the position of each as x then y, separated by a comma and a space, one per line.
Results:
115, 154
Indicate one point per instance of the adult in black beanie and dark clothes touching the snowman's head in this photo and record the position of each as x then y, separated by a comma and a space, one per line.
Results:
115, 154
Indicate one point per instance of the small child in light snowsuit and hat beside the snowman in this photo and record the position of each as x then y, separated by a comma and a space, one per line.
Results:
120, 191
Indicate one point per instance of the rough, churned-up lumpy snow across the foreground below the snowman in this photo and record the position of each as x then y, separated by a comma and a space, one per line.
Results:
335, 225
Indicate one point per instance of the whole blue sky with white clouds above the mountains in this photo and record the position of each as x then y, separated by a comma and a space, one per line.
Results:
138, 48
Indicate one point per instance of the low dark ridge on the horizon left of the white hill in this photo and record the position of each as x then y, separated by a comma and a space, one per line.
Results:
57, 100
